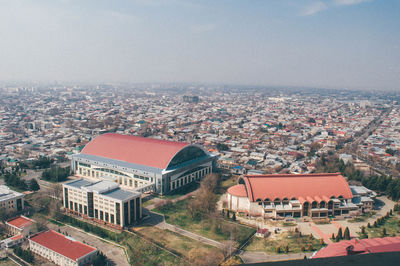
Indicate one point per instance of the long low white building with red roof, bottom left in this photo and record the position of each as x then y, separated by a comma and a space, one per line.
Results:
61, 249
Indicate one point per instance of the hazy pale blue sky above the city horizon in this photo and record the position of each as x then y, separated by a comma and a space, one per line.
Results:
325, 43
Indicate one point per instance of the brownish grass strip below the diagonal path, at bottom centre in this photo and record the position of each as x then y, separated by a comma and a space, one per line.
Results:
173, 241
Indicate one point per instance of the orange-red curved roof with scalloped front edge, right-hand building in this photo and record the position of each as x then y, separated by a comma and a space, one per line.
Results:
310, 187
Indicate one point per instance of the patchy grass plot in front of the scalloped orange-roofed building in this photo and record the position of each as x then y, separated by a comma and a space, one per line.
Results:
293, 240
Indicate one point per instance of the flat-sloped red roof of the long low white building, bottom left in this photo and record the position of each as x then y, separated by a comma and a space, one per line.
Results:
62, 245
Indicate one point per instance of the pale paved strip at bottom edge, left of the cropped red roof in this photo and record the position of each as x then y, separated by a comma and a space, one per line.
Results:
257, 257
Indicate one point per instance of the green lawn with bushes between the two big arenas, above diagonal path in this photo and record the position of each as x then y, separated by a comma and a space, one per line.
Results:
217, 229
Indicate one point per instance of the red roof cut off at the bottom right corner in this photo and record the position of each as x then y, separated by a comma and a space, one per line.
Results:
363, 246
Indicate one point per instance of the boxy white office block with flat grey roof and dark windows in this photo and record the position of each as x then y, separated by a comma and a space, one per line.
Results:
103, 202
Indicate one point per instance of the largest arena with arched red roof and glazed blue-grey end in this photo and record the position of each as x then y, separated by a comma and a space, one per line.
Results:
143, 164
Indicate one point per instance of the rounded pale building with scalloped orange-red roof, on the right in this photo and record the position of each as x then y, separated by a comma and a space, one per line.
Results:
306, 195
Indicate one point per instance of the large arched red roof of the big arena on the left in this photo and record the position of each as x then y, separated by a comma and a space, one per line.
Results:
133, 149
